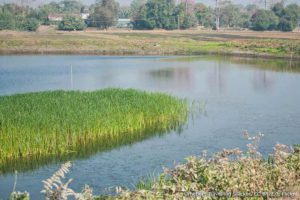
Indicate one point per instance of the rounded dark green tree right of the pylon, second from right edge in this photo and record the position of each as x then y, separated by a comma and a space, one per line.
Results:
264, 20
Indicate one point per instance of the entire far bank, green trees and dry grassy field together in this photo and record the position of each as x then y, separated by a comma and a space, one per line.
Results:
152, 28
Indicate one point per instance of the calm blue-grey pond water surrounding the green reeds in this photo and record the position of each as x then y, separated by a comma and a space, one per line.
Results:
241, 94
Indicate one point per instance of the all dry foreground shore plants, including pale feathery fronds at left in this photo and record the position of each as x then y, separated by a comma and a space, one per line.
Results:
229, 174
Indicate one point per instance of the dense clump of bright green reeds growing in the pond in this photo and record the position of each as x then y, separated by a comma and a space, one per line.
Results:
58, 123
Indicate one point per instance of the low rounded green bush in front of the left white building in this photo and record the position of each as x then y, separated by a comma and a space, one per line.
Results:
71, 23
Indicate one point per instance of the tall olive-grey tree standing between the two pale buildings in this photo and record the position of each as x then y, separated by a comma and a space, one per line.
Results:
105, 14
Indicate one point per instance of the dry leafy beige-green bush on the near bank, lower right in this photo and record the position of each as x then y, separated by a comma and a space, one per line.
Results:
229, 174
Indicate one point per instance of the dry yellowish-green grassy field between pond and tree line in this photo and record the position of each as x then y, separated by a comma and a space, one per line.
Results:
192, 42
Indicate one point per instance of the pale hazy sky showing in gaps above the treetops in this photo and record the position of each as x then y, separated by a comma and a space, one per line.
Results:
127, 2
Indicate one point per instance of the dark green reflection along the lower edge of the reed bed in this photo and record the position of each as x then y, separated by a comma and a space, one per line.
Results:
89, 148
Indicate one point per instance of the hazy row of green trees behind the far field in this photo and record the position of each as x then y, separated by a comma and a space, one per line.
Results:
153, 14
